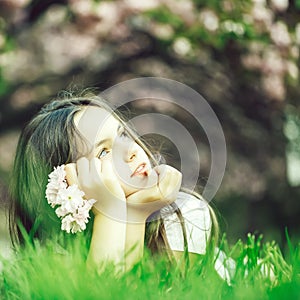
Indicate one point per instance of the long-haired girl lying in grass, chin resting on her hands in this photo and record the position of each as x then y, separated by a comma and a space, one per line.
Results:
137, 200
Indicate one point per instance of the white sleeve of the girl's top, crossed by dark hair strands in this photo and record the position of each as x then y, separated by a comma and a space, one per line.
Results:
197, 223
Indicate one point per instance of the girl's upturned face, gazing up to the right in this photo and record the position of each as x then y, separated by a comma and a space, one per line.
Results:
109, 141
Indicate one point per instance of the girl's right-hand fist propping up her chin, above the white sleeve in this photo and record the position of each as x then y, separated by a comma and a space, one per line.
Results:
144, 202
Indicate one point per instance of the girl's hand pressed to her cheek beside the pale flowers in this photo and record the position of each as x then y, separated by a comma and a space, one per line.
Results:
98, 181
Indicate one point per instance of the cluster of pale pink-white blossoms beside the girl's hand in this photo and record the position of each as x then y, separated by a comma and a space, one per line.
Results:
71, 207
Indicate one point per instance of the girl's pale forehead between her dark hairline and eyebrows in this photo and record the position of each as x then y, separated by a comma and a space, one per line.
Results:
93, 121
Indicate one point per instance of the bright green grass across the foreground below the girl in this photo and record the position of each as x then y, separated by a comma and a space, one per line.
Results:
49, 272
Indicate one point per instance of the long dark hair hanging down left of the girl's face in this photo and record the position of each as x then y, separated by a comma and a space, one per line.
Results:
48, 140
